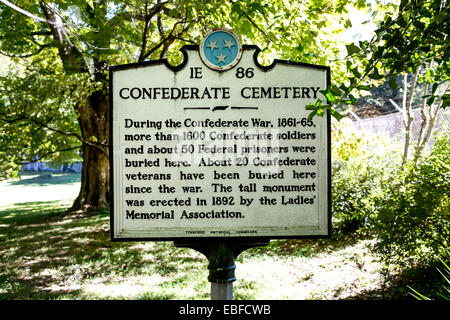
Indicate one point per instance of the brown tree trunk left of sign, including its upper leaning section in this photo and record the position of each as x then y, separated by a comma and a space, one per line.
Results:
93, 120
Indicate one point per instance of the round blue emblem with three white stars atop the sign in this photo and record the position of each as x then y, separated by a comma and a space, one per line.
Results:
220, 49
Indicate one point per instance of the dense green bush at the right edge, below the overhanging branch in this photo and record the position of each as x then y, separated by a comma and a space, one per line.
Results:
413, 220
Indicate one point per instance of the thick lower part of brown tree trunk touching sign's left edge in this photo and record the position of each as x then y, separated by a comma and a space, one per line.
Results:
94, 123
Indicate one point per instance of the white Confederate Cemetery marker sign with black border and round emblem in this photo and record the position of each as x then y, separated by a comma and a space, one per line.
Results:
219, 146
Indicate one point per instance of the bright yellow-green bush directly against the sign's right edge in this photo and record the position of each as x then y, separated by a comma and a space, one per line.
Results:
360, 167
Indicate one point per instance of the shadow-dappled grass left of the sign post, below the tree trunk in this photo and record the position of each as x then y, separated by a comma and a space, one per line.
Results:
69, 256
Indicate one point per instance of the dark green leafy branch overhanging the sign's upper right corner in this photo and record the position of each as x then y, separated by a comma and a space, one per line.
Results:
416, 36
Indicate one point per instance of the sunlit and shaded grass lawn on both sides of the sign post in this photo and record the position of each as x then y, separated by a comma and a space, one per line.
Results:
47, 253
